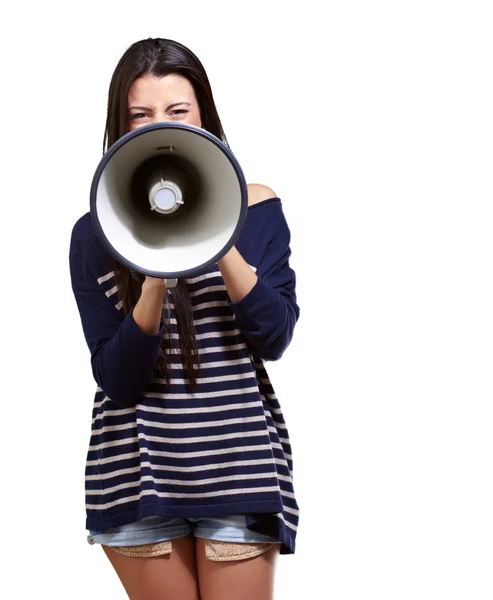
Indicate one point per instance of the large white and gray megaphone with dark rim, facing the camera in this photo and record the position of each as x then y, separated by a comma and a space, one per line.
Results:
168, 200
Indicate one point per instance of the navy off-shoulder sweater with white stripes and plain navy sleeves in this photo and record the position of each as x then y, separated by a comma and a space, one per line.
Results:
159, 449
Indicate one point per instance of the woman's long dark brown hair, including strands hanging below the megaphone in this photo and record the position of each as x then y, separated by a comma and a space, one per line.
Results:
160, 57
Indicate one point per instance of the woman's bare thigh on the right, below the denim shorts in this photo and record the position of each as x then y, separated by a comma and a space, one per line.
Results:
239, 579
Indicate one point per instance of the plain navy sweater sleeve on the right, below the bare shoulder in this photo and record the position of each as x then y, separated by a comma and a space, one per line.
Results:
268, 314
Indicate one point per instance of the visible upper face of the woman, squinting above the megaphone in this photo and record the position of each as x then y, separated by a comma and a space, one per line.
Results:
157, 99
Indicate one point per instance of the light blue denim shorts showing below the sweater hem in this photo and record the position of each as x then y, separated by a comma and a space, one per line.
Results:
231, 528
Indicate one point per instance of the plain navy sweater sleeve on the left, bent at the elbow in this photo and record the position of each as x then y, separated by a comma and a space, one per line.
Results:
122, 355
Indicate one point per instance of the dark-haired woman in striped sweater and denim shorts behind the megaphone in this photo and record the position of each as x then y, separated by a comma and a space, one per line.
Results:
189, 470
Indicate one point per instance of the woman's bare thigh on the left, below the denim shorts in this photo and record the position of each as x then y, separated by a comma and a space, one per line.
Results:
166, 577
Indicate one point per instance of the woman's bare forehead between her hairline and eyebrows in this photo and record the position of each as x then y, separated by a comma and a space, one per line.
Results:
150, 91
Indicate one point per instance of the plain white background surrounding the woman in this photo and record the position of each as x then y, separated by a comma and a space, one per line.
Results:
373, 122
